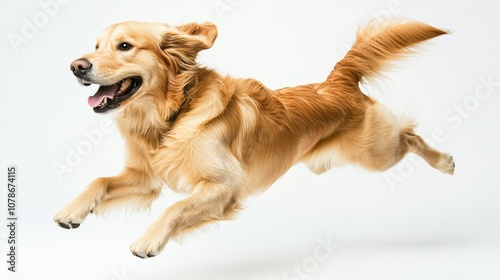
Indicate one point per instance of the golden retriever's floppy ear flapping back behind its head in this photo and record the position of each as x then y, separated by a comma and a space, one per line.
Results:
191, 38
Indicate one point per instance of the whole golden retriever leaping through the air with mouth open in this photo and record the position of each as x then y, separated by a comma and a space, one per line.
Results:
220, 139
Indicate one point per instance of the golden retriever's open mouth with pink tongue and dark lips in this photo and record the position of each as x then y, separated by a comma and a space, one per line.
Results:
110, 96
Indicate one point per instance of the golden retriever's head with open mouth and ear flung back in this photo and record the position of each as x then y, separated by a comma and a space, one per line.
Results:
134, 58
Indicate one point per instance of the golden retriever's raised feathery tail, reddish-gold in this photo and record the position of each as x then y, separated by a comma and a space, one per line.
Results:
376, 45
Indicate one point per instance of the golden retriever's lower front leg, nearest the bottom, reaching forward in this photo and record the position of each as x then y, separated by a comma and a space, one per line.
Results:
209, 202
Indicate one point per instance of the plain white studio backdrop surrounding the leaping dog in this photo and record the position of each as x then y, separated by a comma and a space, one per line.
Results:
411, 222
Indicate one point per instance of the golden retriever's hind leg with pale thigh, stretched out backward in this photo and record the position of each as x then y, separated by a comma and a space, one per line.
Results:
378, 143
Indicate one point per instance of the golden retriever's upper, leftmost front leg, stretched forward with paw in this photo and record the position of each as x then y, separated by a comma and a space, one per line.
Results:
131, 184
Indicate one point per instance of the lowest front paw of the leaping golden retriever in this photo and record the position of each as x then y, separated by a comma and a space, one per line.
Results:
149, 245
